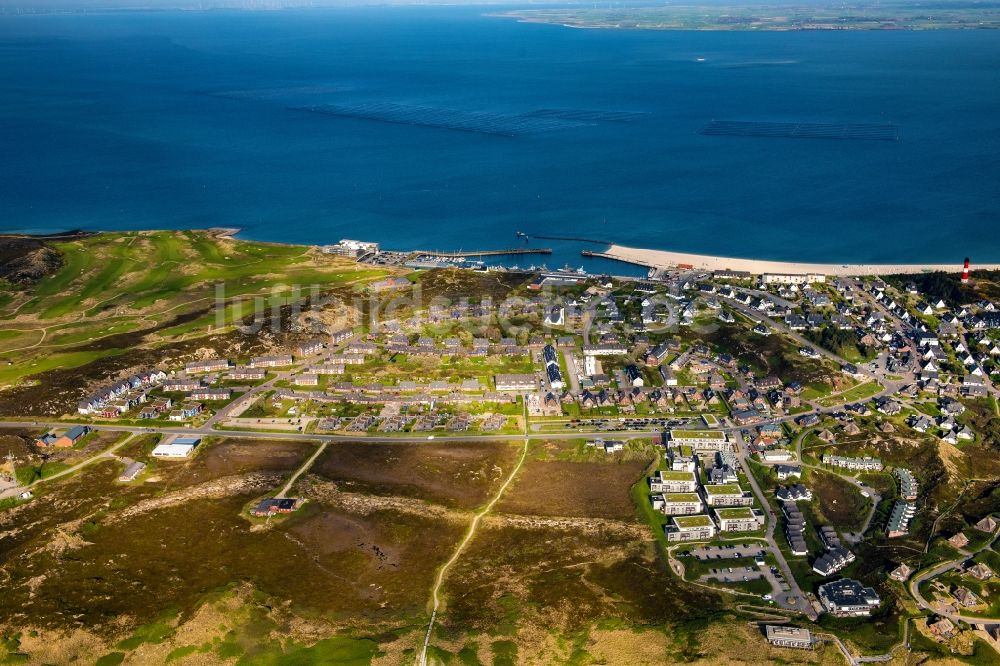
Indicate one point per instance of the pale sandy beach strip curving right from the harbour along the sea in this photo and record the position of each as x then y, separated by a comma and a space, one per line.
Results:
666, 259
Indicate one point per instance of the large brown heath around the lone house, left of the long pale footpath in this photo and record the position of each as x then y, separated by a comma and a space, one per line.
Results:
123, 565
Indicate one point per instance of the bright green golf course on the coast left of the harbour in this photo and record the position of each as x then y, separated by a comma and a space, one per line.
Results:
116, 283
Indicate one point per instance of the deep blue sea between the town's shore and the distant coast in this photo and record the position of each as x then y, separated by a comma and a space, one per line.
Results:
186, 119
